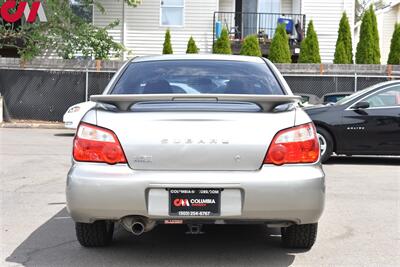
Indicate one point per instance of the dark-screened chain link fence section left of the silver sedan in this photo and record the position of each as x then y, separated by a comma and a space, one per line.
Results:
46, 95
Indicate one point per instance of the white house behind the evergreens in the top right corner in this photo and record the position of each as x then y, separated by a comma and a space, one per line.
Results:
386, 19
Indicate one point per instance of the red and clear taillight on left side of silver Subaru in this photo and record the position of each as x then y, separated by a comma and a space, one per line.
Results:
96, 144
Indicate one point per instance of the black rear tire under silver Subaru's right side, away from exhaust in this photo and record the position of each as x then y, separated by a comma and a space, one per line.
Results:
299, 236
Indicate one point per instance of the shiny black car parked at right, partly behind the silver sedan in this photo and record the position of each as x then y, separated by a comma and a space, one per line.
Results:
364, 123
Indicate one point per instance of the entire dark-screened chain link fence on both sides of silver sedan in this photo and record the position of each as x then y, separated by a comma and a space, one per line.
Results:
32, 94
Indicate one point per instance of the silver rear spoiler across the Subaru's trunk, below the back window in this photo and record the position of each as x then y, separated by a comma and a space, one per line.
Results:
266, 102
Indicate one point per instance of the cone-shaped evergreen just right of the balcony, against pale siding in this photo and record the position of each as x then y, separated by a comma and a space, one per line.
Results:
309, 49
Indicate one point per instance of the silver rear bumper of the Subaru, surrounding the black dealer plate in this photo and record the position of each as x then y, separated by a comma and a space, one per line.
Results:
293, 193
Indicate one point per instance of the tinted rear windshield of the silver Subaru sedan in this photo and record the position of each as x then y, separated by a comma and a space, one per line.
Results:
197, 77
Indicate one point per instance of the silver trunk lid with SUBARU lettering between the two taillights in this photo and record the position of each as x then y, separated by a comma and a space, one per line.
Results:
195, 140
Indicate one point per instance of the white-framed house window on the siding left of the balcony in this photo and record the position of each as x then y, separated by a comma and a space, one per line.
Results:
172, 12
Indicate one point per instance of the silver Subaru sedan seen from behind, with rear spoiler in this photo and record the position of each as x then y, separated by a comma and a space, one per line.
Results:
194, 140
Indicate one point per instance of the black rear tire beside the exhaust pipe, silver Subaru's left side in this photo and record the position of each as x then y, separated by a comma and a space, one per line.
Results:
97, 234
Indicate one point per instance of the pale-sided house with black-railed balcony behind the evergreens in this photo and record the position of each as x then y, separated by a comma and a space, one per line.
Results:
142, 28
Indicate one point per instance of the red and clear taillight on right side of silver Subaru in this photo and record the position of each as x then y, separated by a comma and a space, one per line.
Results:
294, 145
